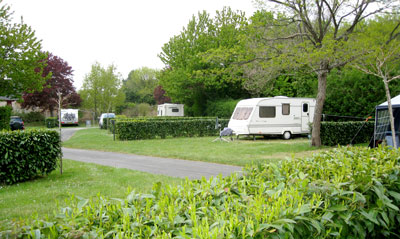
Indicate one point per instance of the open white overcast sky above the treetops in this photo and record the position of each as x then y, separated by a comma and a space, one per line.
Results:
126, 33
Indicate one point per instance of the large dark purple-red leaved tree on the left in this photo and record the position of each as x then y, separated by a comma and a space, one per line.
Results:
61, 81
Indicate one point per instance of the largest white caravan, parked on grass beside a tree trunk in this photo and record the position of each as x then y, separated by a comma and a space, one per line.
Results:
279, 115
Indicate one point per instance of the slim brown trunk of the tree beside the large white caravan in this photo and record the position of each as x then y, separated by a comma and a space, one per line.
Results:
316, 130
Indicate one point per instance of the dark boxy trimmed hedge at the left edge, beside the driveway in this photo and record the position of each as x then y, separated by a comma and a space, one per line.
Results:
27, 154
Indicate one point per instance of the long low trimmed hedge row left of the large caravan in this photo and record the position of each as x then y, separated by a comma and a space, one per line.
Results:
144, 129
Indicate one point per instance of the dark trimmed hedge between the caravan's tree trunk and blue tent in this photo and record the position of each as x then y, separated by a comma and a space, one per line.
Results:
341, 133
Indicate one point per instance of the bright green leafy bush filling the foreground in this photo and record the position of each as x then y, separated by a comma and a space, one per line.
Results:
346, 192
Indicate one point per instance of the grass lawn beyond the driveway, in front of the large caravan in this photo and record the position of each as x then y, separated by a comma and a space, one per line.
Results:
239, 152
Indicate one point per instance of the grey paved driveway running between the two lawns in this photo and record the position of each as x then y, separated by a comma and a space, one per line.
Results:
156, 165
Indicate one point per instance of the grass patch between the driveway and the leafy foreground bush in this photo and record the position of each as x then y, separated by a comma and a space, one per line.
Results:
81, 179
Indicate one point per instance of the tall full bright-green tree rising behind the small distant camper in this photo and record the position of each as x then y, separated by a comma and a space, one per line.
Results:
196, 69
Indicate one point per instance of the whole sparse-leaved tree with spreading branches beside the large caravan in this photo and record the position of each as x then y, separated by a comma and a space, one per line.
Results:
317, 34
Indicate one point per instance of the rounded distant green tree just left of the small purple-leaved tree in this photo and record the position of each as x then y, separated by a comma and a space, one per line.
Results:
140, 85
